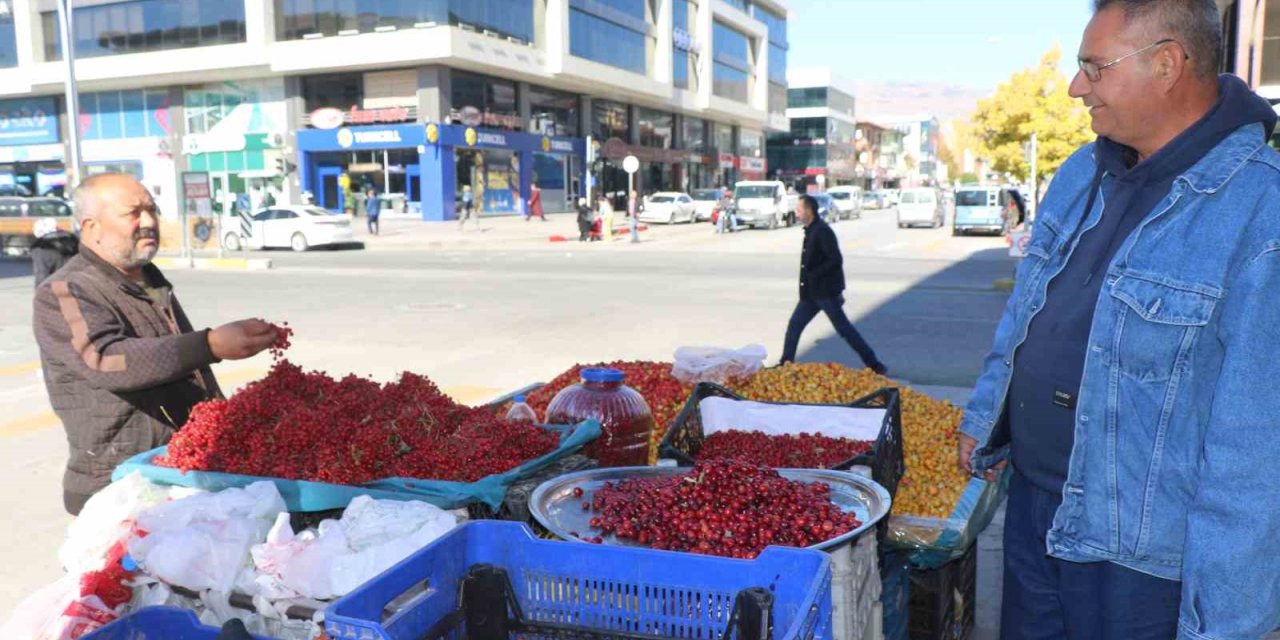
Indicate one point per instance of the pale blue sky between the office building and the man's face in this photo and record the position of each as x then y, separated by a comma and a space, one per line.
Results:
968, 43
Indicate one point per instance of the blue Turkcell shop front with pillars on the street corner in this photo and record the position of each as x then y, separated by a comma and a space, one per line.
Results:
436, 175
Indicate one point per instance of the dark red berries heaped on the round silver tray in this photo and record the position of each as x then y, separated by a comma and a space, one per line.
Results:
724, 508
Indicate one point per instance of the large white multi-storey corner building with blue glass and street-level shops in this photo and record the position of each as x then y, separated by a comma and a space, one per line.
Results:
322, 99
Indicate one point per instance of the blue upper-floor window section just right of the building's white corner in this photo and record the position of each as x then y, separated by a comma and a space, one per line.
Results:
614, 33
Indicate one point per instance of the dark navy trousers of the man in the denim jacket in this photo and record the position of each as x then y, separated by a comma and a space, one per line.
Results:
1049, 598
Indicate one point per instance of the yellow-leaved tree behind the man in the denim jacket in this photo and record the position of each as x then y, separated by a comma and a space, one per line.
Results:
1034, 100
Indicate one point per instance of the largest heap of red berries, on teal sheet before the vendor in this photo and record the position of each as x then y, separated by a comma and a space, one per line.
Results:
307, 426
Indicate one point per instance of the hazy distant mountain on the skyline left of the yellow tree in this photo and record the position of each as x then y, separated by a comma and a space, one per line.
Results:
892, 99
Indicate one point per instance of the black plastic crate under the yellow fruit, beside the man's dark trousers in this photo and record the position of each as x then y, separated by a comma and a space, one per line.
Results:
941, 605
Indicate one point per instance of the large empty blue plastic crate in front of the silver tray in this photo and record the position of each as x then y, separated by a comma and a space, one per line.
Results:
624, 591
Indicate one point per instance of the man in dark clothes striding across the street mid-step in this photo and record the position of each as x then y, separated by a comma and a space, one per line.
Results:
822, 287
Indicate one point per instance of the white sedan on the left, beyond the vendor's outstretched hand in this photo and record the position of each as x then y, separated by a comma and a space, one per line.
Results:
298, 227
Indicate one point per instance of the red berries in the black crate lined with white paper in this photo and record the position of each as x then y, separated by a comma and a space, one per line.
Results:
804, 451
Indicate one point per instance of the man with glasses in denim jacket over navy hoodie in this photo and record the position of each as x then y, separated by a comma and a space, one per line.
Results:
1131, 377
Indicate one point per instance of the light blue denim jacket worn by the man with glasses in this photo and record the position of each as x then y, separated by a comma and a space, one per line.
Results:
1176, 468
